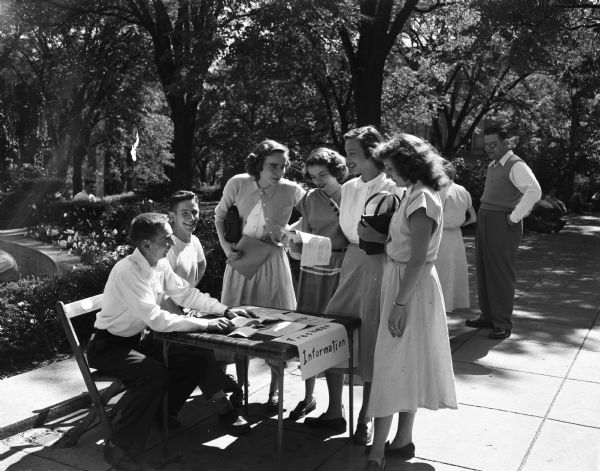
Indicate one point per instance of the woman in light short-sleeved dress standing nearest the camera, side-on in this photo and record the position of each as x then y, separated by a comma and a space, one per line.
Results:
413, 363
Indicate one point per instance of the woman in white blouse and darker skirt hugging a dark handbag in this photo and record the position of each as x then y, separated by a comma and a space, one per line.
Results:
357, 294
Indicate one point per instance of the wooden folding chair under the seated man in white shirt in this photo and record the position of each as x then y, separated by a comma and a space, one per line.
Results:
73, 319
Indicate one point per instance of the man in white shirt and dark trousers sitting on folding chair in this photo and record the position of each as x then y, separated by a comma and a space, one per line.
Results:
136, 288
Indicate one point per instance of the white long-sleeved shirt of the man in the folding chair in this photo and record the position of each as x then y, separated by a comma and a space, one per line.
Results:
133, 292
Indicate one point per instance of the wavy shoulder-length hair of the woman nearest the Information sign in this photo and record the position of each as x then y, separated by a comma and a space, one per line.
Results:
414, 159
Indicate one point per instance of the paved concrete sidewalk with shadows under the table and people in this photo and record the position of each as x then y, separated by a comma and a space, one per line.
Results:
528, 403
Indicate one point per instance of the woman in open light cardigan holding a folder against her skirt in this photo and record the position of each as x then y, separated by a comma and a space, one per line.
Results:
265, 201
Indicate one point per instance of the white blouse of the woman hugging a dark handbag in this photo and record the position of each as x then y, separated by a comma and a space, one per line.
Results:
355, 194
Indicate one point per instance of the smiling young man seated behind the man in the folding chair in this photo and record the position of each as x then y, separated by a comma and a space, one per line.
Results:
186, 256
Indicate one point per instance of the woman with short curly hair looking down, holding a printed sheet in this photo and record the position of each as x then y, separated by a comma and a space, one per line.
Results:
326, 169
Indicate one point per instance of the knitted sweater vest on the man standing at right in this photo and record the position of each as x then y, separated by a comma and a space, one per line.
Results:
499, 193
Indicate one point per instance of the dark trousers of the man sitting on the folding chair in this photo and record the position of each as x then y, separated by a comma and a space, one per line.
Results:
139, 364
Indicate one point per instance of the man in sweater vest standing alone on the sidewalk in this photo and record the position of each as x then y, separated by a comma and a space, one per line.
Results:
509, 194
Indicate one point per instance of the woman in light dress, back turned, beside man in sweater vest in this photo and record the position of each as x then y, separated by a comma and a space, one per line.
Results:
451, 262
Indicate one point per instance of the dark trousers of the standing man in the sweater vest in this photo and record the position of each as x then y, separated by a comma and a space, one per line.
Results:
496, 247
